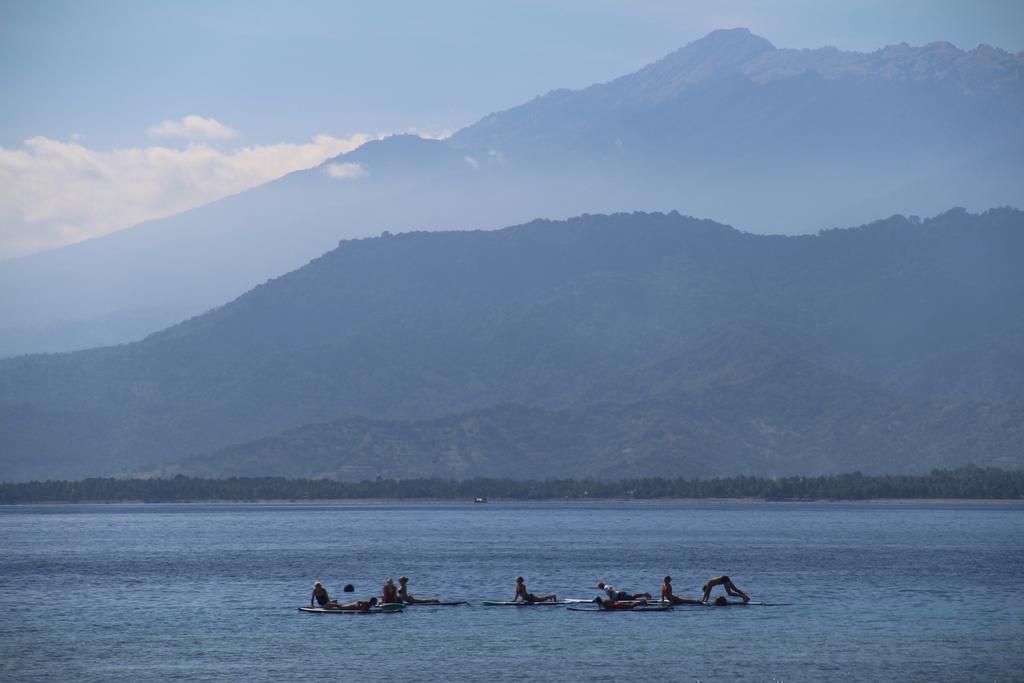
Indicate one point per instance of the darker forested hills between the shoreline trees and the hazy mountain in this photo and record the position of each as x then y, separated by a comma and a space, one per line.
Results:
607, 347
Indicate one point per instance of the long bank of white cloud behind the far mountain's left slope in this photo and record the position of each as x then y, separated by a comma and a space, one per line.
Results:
55, 193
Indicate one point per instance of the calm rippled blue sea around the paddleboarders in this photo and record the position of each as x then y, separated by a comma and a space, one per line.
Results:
881, 592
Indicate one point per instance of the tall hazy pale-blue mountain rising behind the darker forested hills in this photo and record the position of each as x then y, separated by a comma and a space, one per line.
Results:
770, 141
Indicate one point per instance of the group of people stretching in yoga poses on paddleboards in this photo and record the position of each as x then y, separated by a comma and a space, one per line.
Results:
616, 600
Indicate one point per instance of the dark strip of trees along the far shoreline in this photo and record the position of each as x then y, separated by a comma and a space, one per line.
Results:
968, 483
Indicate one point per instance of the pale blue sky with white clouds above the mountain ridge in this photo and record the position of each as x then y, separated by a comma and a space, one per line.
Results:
116, 112
